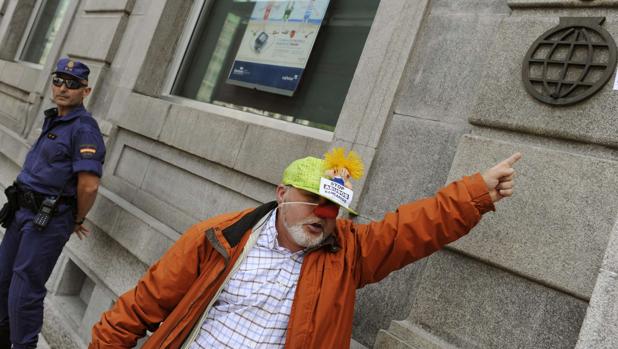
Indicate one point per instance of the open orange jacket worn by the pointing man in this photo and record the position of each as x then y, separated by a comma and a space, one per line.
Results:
170, 298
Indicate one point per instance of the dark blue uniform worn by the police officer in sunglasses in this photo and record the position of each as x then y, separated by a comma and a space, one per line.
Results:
68, 144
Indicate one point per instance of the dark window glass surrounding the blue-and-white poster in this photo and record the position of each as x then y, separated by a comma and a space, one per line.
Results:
324, 84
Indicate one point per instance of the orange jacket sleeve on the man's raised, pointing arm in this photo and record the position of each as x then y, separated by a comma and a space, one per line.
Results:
418, 229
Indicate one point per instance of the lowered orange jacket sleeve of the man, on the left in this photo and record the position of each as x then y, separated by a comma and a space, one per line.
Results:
156, 294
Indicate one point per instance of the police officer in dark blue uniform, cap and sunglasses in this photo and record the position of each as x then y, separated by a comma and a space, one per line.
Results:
52, 195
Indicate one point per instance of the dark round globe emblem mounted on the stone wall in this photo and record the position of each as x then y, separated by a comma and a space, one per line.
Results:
570, 62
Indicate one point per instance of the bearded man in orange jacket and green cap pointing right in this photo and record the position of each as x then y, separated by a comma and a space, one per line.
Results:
285, 274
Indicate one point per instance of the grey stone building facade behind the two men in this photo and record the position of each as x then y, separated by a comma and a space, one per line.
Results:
435, 92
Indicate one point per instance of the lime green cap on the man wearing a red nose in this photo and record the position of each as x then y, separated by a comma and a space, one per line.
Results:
306, 174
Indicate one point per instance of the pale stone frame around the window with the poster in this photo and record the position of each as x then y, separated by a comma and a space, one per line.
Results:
373, 91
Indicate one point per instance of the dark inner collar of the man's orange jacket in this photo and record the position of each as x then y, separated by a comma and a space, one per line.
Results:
234, 233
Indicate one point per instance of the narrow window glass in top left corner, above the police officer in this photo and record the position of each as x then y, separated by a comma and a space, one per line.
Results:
44, 31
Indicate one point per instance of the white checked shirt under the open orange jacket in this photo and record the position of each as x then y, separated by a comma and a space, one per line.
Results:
253, 309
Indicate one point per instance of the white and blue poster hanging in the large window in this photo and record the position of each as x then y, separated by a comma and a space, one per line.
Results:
275, 47
